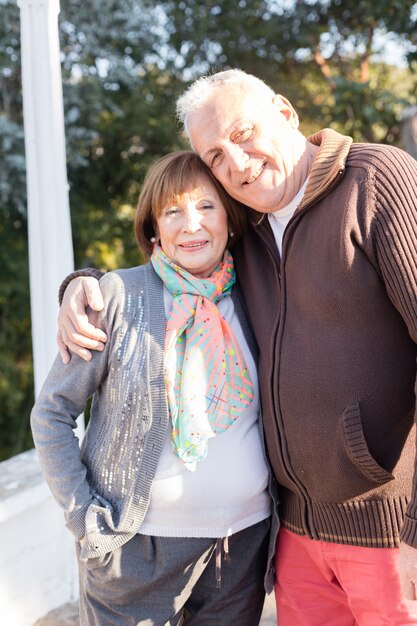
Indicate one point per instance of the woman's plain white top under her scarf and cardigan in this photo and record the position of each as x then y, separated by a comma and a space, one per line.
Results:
228, 491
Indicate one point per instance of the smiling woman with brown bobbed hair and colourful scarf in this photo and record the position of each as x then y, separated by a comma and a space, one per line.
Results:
172, 475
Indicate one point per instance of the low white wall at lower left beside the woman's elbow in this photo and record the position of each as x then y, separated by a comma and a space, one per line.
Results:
37, 564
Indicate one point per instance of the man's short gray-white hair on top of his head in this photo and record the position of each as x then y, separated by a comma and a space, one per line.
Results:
201, 89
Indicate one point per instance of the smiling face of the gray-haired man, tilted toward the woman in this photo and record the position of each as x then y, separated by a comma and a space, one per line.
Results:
252, 145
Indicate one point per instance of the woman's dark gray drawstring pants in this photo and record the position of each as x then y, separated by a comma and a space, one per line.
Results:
163, 581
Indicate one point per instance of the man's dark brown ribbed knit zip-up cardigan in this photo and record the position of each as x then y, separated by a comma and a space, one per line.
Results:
336, 324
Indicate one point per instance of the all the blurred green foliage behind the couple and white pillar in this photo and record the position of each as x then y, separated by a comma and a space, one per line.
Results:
123, 65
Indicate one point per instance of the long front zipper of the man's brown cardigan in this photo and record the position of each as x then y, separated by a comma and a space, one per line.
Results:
308, 524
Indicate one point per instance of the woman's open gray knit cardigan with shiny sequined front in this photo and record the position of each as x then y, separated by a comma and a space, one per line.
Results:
105, 490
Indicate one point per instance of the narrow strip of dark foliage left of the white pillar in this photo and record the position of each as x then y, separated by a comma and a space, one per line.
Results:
16, 376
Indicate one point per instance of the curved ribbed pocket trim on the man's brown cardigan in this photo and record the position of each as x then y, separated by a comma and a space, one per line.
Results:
357, 448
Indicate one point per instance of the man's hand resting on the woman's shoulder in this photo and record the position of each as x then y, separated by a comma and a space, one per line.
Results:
75, 333
